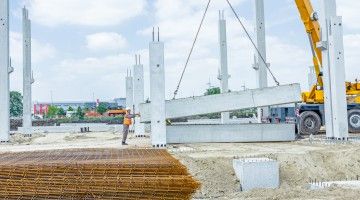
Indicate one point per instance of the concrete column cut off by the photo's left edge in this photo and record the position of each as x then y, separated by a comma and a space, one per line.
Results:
4, 72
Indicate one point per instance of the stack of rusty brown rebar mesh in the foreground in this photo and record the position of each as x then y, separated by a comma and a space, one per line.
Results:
94, 174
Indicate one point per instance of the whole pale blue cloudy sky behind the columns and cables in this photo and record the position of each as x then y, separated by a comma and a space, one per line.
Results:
81, 47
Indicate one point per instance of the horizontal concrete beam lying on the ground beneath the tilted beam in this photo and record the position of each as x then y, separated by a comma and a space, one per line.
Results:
224, 133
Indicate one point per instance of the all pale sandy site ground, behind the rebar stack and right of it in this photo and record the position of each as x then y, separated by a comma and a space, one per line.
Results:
211, 164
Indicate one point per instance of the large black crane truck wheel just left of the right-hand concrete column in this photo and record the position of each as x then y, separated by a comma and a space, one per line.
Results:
309, 123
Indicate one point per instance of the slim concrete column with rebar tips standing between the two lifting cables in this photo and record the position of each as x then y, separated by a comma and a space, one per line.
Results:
223, 75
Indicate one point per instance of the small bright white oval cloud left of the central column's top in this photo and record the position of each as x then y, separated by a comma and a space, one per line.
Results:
105, 41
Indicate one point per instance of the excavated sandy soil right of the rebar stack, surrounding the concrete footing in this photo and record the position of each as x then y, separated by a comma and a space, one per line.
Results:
211, 164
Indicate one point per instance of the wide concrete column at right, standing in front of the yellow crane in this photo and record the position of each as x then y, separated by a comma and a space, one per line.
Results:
334, 72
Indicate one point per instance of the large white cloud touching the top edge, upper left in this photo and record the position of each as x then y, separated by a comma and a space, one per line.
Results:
85, 12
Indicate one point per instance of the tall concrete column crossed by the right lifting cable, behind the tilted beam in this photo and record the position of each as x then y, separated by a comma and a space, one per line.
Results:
260, 64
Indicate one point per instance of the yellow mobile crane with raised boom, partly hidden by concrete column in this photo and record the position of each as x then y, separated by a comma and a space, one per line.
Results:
311, 112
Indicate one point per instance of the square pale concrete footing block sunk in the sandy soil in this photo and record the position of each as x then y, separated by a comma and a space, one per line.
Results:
257, 173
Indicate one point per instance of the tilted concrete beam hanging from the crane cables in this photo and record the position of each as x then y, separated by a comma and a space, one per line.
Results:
227, 102
